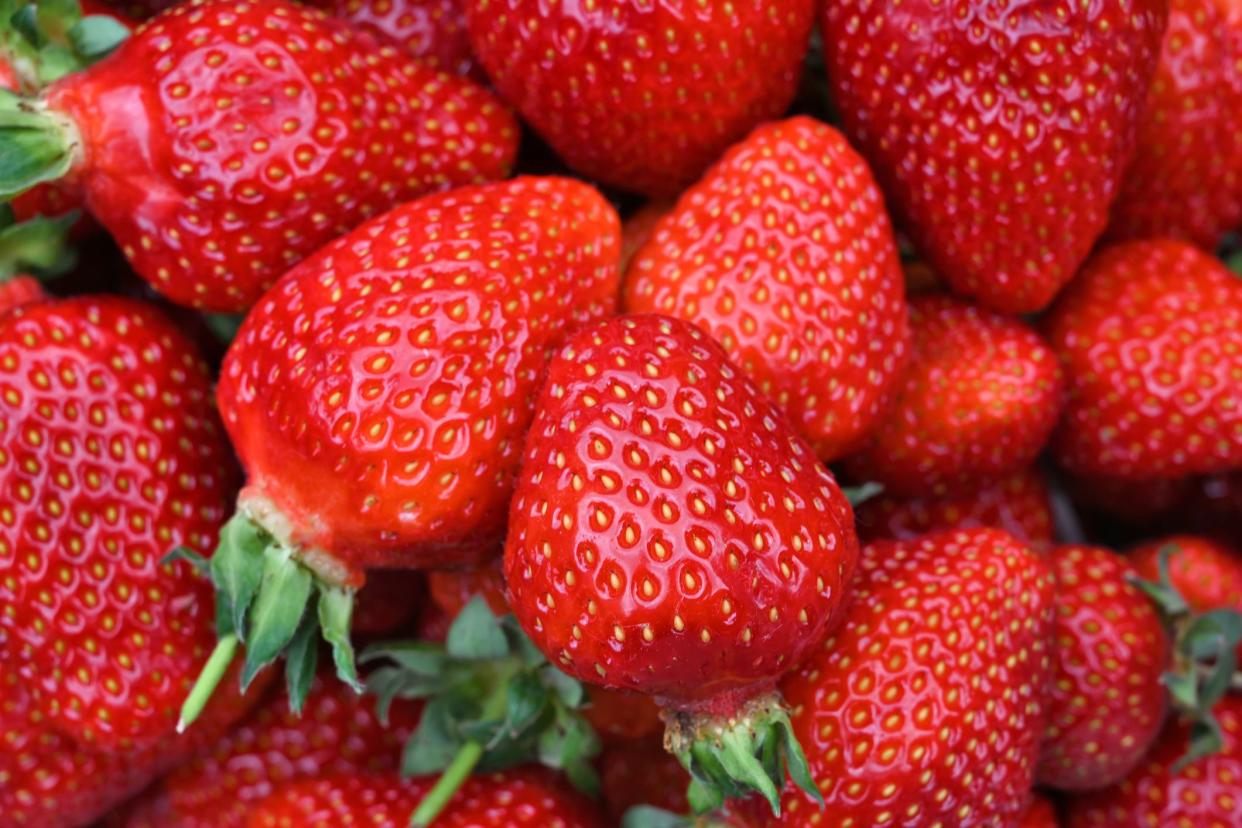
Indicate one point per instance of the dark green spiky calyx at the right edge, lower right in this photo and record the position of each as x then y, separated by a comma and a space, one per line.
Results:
1204, 660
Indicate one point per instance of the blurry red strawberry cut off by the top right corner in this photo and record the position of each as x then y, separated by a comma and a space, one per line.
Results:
1185, 181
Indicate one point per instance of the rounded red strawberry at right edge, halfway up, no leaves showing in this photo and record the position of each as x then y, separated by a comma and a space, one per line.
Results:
1151, 338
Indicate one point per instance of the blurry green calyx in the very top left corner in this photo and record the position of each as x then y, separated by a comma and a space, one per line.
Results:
47, 40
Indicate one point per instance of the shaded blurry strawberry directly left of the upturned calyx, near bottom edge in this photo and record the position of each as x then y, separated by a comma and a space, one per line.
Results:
338, 733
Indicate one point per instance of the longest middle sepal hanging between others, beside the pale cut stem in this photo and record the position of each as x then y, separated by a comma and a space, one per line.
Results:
283, 598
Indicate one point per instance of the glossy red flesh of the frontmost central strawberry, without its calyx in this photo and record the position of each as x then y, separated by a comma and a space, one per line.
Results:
671, 533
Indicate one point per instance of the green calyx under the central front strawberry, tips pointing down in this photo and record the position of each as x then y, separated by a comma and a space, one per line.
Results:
731, 758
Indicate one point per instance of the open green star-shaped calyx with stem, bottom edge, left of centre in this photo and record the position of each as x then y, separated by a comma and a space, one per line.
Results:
492, 702
